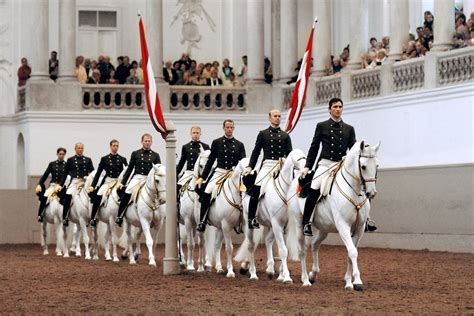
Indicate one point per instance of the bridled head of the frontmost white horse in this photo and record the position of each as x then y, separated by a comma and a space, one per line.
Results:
365, 166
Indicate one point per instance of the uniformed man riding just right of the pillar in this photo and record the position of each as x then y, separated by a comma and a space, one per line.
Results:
189, 154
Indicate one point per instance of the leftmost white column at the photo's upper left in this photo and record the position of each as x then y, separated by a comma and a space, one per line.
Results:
39, 39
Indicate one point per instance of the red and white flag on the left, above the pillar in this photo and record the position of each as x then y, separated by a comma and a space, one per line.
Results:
152, 99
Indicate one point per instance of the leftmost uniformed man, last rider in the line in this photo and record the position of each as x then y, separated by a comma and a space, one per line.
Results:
56, 169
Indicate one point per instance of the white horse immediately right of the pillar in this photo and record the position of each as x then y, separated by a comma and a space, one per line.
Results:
189, 203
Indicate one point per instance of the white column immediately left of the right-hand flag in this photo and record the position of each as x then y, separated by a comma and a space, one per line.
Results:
288, 39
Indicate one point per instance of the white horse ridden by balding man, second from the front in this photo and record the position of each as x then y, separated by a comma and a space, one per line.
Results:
272, 213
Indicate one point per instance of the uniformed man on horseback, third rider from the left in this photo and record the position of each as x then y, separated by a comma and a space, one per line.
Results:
113, 165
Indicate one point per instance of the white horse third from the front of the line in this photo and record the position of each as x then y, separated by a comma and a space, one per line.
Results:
225, 214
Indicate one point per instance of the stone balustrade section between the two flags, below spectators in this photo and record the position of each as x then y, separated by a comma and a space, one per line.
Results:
207, 98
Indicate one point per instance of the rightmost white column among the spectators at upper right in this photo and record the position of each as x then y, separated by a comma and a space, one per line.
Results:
443, 25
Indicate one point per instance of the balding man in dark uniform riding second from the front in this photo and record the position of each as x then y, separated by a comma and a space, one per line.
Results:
275, 144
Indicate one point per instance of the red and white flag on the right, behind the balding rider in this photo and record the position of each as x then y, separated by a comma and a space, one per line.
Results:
297, 100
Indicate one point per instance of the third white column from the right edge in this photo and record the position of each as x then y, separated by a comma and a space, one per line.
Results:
358, 30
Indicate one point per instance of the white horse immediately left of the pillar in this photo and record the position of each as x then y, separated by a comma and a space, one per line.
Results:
148, 212
